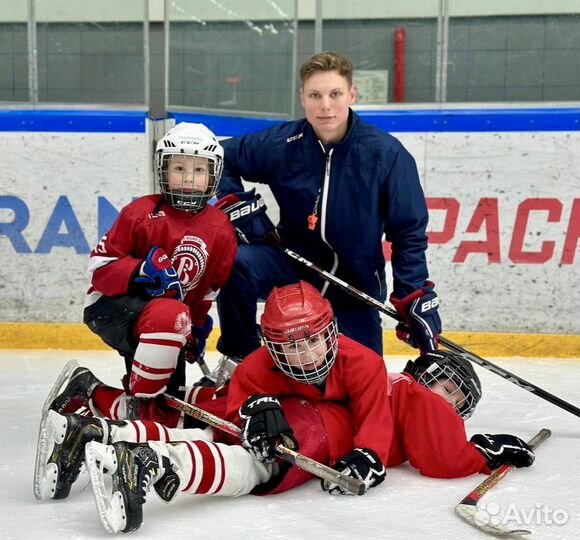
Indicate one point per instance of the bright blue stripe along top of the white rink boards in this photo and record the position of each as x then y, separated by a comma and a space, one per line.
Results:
418, 120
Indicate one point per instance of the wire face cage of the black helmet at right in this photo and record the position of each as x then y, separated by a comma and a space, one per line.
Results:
445, 371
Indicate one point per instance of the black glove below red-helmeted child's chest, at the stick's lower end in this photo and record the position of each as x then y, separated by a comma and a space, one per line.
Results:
361, 463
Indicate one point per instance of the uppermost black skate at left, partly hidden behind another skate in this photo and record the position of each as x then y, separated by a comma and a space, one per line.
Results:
72, 391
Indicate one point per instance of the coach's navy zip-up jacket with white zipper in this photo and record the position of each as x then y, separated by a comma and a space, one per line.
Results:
360, 188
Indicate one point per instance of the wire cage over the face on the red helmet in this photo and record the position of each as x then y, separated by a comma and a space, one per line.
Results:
305, 357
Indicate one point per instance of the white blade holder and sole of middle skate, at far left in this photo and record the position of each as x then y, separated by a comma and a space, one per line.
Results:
51, 432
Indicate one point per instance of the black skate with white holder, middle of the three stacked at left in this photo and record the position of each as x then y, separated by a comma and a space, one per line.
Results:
61, 450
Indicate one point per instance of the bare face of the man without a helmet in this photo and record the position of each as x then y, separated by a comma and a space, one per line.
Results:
326, 98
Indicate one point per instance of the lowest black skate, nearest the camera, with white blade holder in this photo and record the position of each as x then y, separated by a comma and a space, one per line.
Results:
134, 468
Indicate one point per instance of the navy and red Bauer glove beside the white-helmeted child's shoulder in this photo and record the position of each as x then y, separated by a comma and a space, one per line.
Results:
247, 212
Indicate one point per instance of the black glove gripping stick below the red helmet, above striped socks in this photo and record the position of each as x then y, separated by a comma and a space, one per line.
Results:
264, 426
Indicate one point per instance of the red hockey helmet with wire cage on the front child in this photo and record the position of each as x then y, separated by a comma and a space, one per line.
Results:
300, 331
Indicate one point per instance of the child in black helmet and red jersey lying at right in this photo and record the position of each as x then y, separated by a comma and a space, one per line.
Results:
430, 402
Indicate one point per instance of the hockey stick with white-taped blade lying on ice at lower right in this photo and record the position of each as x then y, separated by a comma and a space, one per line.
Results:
467, 508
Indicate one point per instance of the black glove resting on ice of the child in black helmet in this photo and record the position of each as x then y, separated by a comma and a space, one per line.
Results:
503, 450
